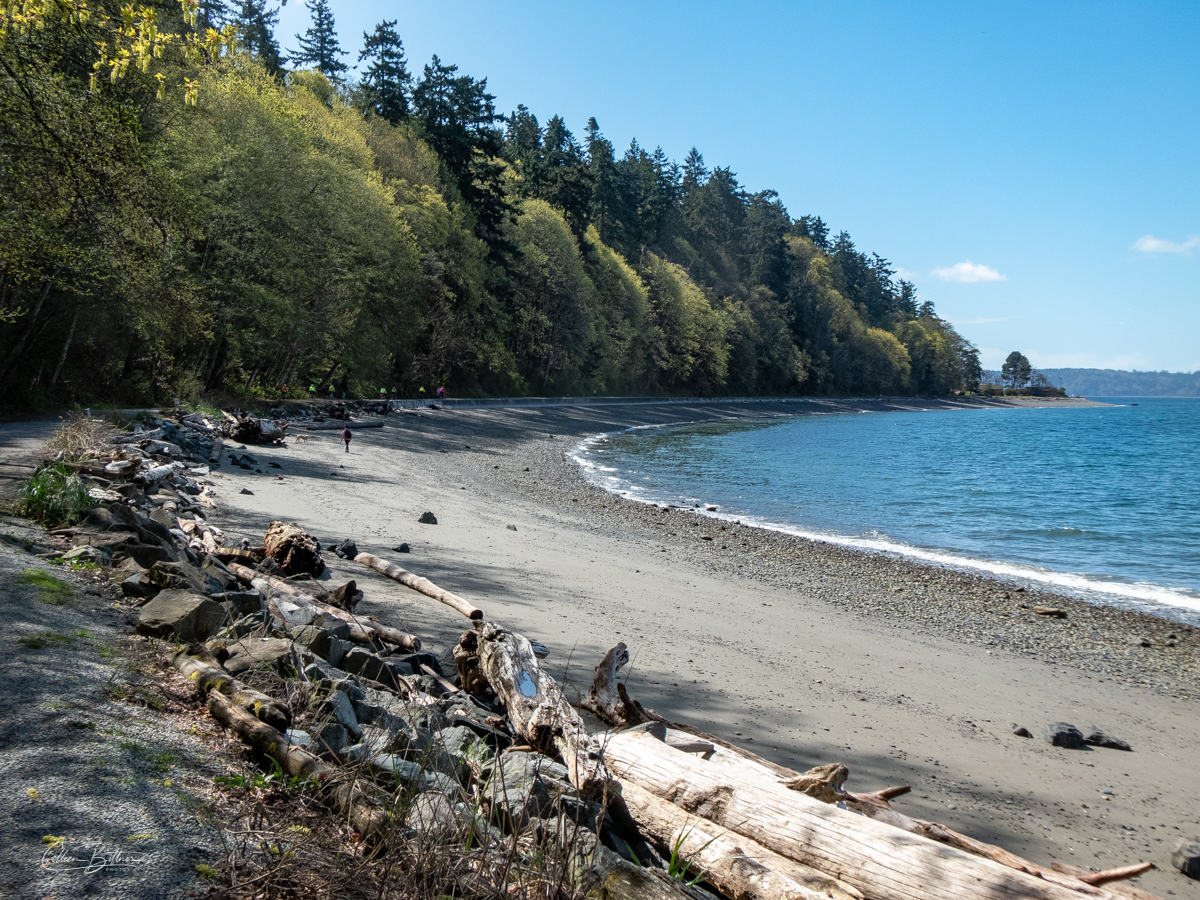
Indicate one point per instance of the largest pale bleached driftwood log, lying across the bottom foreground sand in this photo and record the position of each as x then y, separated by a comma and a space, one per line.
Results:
883, 862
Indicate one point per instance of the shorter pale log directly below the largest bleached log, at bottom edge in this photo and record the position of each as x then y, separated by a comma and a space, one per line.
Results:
737, 867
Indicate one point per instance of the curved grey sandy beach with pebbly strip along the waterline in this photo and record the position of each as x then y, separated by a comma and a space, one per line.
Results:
805, 652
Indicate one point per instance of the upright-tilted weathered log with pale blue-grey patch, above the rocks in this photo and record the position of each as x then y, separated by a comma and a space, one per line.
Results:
539, 712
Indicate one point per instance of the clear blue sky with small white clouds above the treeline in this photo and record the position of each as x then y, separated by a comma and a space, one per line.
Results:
1035, 169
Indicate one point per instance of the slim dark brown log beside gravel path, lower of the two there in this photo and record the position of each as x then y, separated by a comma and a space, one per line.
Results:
365, 817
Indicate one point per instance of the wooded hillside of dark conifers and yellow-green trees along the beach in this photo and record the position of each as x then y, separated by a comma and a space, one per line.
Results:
219, 215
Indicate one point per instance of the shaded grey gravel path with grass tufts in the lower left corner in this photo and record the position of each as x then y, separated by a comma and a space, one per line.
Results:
85, 757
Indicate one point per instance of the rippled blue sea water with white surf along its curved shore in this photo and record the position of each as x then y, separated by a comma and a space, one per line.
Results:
1102, 503
